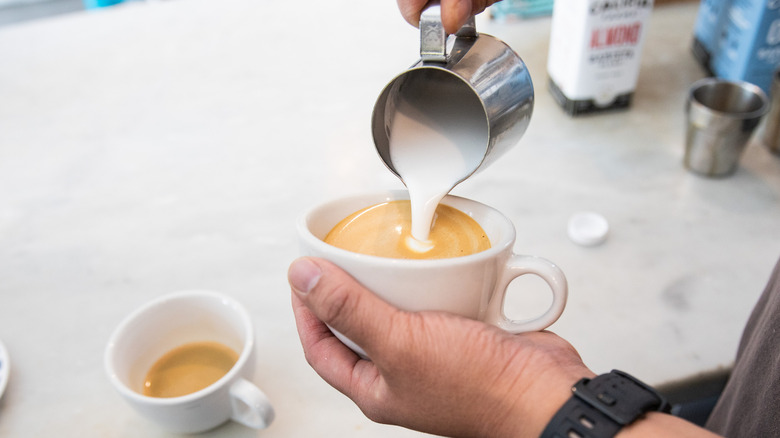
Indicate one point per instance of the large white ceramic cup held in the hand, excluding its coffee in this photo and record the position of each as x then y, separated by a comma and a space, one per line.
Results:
473, 286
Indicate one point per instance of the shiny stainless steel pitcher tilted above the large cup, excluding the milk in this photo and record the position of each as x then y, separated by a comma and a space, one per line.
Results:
476, 64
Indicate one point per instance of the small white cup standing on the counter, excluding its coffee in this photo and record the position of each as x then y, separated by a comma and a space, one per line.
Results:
171, 321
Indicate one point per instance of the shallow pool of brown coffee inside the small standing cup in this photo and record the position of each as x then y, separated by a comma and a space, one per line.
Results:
189, 368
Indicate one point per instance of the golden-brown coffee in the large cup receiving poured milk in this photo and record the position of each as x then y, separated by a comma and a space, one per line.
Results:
384, 230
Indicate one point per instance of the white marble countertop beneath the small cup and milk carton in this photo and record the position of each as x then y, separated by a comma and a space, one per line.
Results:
161, 146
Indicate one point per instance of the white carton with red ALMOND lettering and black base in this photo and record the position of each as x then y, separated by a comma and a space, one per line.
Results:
595, 49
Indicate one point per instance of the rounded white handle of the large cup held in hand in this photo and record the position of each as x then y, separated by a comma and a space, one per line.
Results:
516, 266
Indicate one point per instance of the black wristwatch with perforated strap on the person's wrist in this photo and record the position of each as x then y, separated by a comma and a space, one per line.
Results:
601, 406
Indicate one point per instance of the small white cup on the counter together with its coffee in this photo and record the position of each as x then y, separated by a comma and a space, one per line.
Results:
184, 361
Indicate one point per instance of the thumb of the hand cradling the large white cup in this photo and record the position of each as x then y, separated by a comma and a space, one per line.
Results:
339, 301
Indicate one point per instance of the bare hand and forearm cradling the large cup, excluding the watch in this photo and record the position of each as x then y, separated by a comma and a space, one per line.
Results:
436, 372
